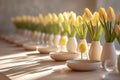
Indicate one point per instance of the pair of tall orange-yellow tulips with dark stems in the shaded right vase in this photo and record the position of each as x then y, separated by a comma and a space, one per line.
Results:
107, 22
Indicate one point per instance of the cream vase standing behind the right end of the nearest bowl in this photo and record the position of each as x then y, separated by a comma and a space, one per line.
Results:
95, 51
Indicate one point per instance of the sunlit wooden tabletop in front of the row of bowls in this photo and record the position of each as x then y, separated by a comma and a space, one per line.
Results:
19, 64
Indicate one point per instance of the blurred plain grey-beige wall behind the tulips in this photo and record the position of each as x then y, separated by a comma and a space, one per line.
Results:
13, 8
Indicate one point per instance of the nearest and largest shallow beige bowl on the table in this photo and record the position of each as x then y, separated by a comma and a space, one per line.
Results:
83, 65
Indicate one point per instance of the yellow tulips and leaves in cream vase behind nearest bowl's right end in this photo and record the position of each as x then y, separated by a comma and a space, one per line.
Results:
94, 27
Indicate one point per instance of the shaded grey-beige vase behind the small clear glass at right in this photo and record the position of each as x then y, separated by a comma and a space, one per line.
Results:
109, 53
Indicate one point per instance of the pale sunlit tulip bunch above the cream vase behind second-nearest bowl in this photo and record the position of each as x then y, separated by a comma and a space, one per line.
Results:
68, 20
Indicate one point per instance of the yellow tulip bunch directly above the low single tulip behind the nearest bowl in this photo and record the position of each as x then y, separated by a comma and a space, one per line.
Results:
80, 26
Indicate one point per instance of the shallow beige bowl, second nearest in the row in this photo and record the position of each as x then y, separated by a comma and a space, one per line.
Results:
62, 56
